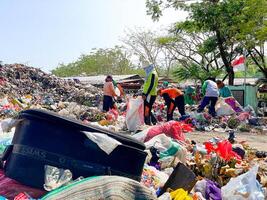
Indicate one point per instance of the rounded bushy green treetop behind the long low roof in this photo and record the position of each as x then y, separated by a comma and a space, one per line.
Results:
98, 61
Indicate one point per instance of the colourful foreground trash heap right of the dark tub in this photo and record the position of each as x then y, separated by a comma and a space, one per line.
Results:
216, 169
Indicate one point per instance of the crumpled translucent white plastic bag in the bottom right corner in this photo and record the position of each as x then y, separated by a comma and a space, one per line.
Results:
244, 186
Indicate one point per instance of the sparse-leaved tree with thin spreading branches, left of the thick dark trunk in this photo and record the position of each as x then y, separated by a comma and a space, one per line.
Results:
195, 55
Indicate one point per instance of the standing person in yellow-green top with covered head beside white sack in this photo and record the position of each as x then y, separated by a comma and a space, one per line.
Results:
149, 91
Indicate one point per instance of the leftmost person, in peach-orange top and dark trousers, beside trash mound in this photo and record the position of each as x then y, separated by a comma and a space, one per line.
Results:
109, 94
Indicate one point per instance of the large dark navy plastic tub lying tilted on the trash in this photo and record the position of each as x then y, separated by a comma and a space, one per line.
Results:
45, 138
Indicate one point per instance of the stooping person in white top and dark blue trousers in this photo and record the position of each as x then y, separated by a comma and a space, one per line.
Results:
211, 93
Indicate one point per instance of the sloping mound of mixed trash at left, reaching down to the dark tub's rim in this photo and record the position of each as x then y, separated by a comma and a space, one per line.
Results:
24, 87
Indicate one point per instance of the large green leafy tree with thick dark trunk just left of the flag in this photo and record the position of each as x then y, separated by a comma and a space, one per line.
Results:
227, 20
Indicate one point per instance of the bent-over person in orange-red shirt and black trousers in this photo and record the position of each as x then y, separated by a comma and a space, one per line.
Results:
173, 98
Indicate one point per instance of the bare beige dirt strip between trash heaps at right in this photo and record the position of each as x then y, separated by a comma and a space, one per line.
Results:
255, 140
